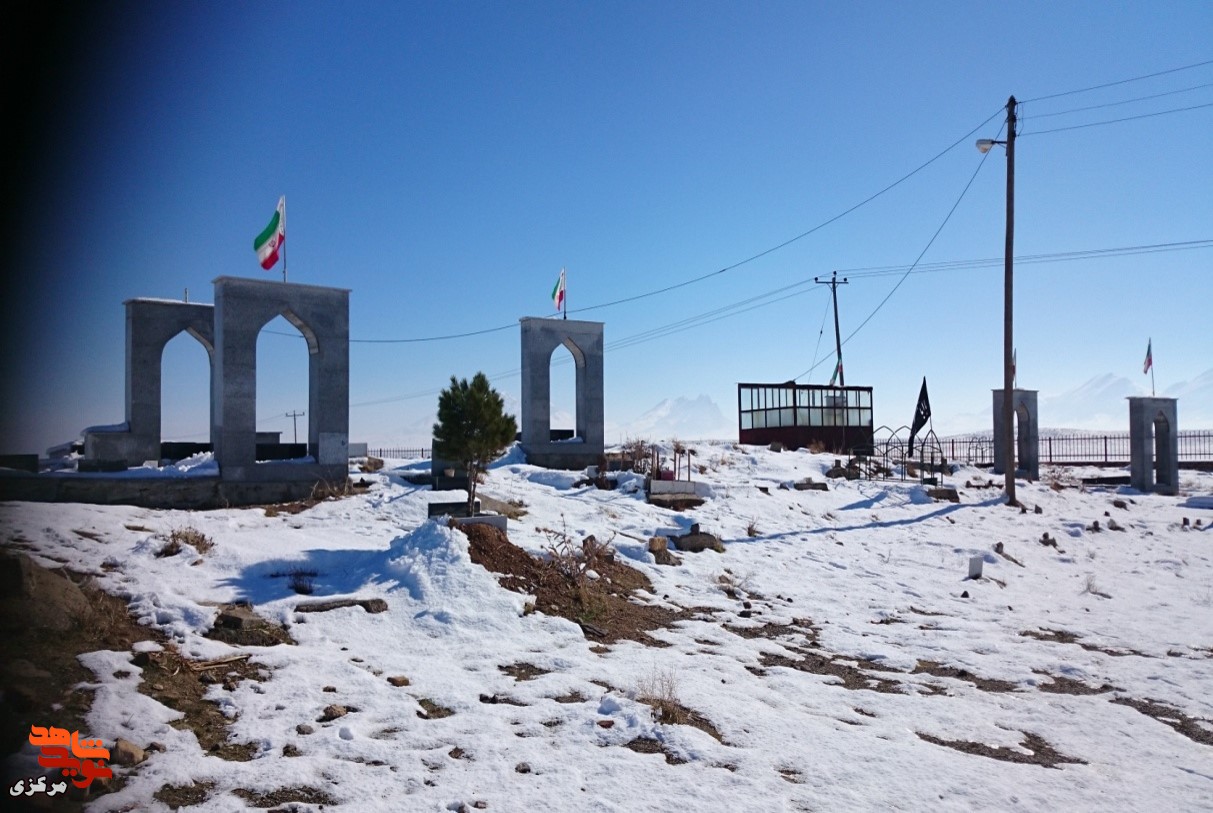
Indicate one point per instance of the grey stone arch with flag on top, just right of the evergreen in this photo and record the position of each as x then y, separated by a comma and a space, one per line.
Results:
540, 338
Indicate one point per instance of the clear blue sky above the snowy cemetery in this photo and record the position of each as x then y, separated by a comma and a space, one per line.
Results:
445, 161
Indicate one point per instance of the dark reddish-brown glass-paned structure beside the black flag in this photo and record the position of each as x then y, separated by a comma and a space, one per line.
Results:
805, 416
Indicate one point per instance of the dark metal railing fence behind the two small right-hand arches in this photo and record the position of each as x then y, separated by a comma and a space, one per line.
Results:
1108, 450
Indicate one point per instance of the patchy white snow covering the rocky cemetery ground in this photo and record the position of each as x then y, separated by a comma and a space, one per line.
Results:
830, 645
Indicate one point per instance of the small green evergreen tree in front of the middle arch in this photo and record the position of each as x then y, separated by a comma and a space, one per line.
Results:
472, 429
